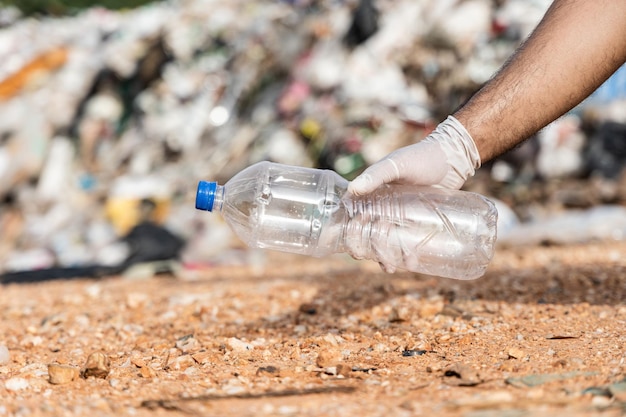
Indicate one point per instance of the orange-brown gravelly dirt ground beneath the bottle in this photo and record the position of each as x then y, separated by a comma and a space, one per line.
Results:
542, 333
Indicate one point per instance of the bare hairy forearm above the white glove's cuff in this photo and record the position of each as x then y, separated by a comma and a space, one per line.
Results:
575, 48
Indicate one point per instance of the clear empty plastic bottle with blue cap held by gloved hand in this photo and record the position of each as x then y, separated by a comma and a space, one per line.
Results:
308, 211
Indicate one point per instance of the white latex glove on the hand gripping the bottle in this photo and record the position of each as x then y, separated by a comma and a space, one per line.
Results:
446, 158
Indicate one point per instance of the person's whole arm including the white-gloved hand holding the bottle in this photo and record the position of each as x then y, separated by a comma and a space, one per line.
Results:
577, 46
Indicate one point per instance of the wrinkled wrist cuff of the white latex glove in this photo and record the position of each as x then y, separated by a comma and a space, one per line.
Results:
460, 150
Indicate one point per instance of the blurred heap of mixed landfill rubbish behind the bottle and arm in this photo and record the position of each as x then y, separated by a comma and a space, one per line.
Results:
109, 118
